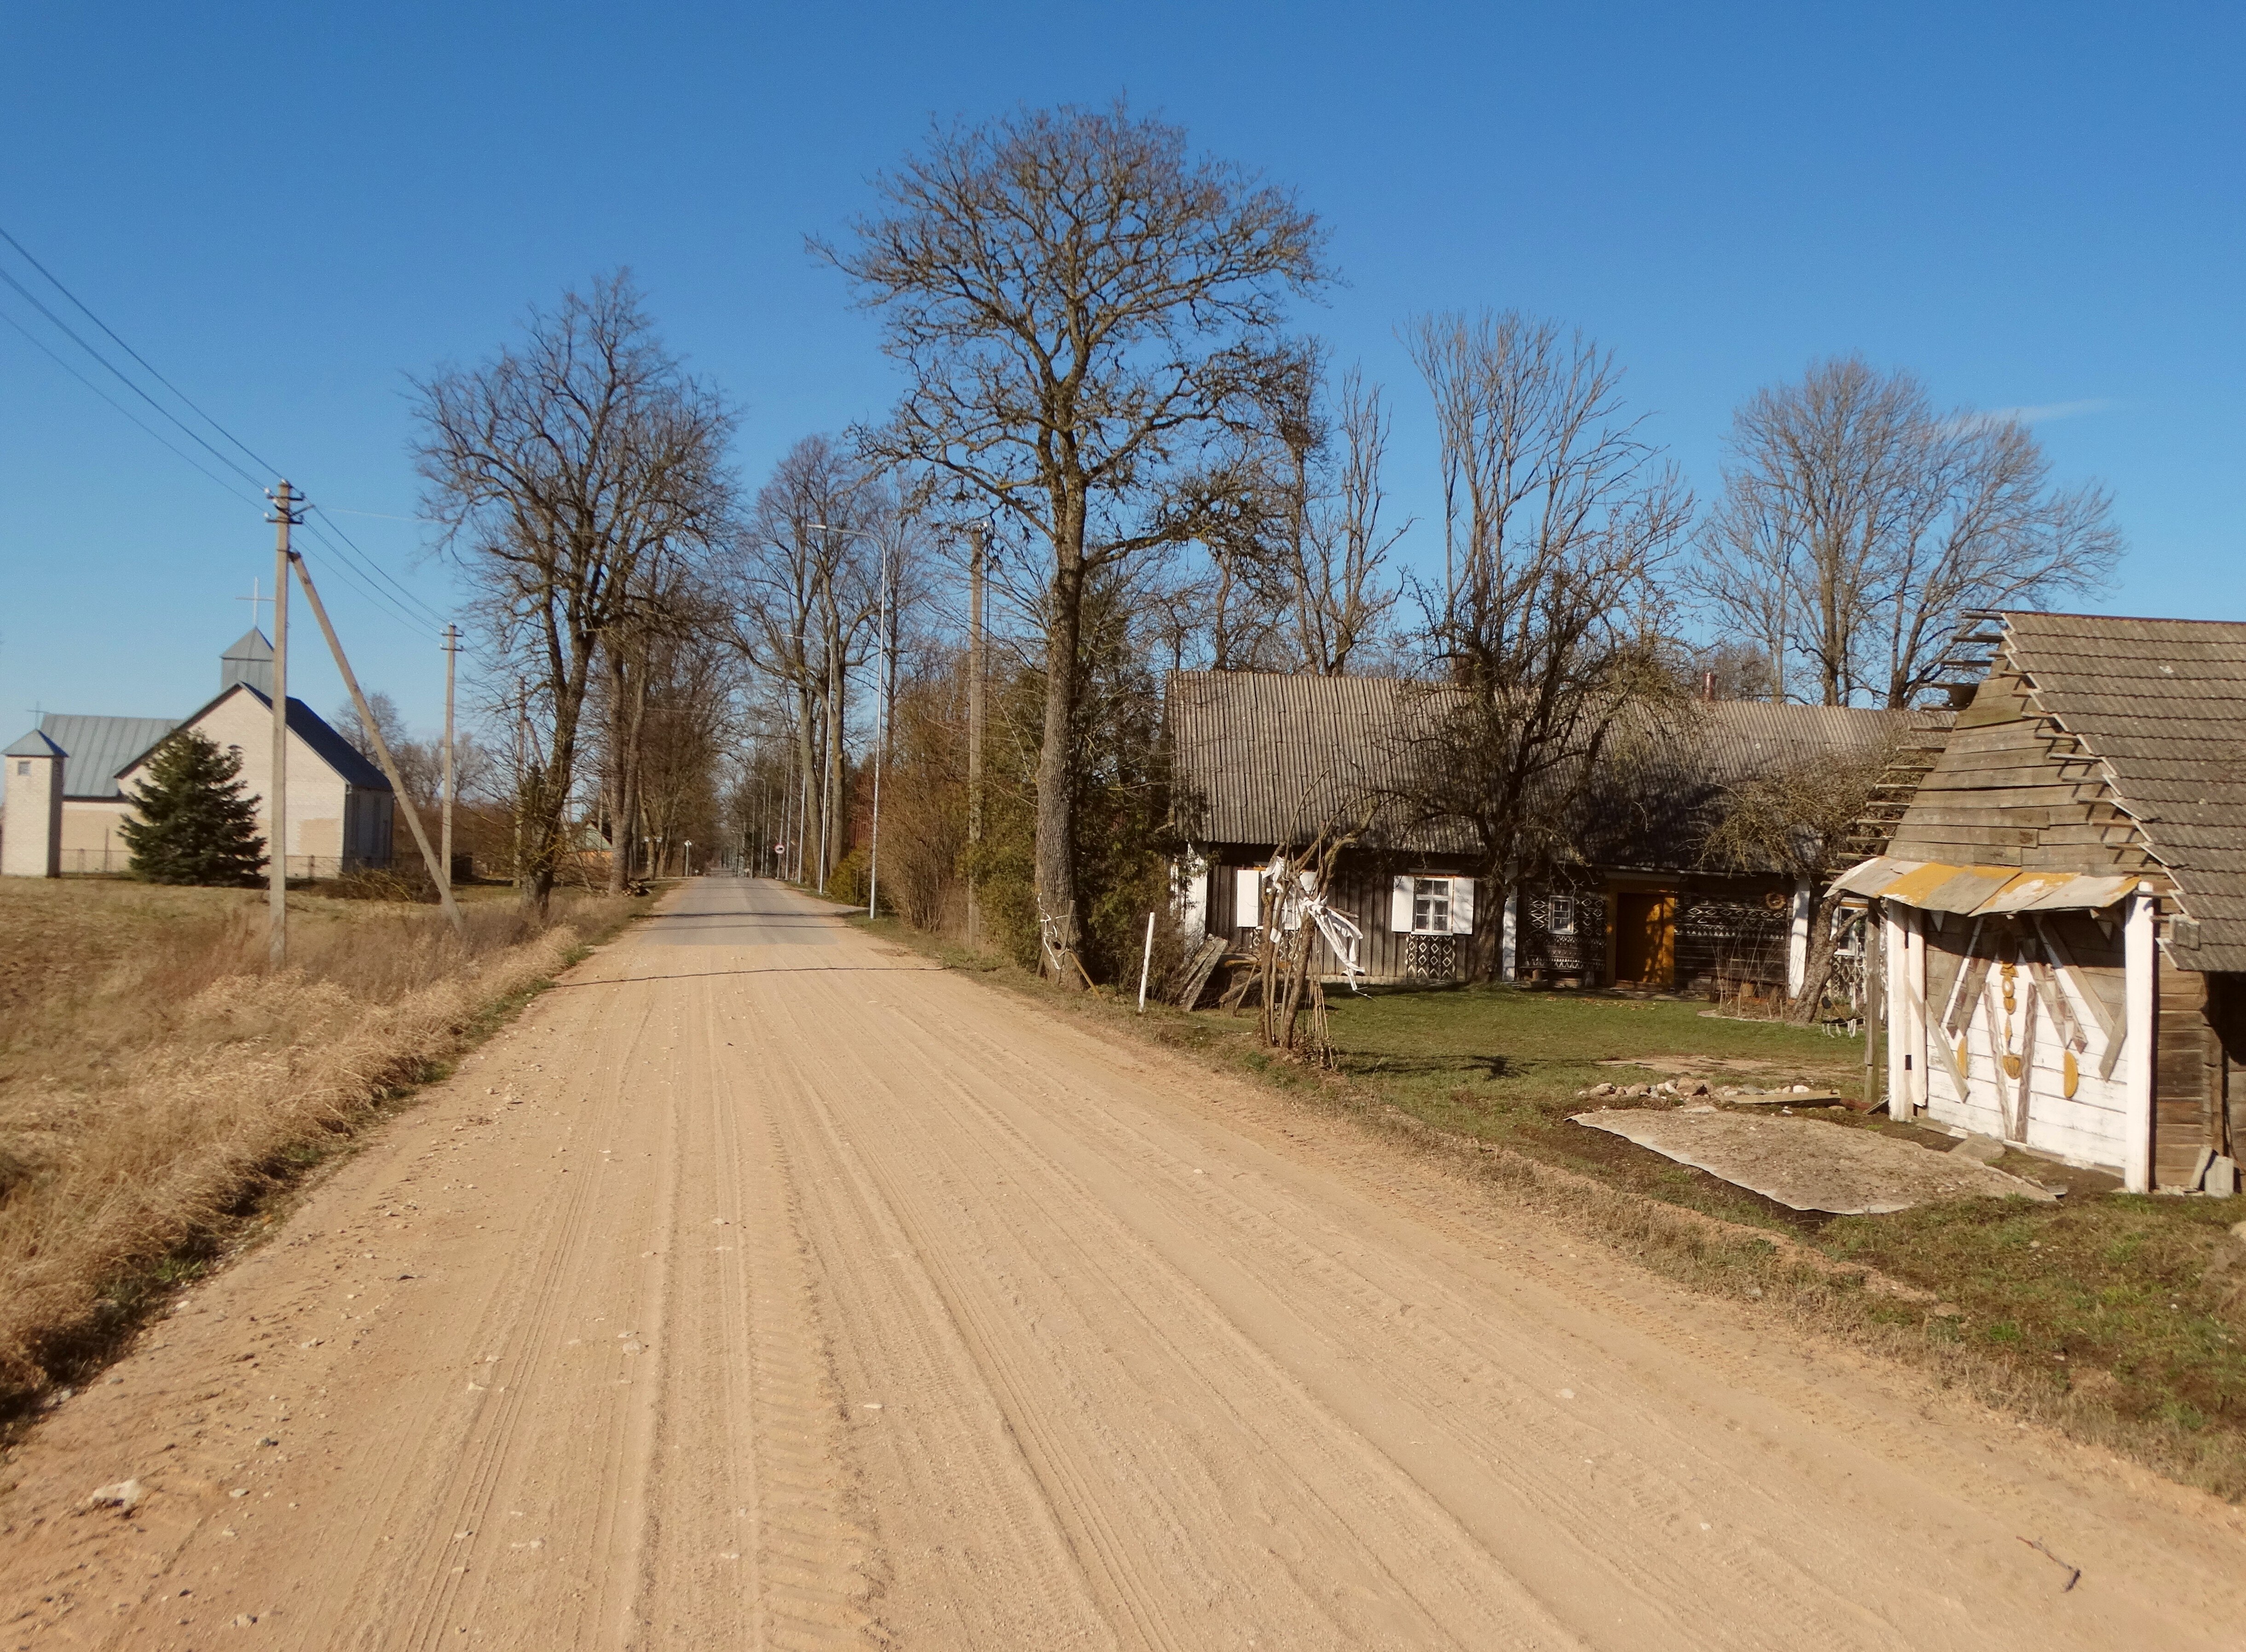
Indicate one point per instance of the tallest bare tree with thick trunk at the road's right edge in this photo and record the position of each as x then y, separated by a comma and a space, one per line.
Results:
1077, 304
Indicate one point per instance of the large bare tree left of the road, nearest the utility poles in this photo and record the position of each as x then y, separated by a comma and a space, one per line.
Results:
560, 470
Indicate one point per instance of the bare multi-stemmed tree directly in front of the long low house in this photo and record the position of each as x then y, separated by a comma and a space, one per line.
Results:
1558, 529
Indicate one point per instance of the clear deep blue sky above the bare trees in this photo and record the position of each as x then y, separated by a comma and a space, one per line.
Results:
289, 210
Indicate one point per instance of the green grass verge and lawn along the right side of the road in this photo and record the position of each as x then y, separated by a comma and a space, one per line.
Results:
2119, 1321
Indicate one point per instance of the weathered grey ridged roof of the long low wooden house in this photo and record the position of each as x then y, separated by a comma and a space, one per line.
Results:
1266, 760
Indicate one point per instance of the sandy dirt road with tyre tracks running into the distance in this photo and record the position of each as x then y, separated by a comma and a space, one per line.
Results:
767, 1287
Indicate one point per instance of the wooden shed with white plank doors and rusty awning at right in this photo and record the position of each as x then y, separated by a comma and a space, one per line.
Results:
2065, 901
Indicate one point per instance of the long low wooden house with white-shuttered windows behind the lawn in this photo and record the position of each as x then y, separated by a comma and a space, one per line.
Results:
1261, 762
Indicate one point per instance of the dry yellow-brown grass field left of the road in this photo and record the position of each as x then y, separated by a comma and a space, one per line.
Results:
156, 1083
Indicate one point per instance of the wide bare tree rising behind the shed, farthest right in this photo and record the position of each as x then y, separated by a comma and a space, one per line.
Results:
1859, 529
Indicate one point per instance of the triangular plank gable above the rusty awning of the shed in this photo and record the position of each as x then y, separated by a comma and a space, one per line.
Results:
2014, 791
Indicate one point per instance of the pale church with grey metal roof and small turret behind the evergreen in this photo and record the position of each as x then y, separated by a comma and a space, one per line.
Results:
71, 782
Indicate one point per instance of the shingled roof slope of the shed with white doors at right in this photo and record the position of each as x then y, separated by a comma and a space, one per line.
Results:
2164, 706
